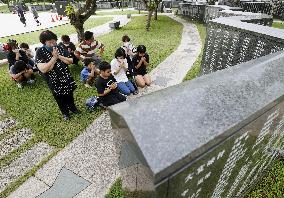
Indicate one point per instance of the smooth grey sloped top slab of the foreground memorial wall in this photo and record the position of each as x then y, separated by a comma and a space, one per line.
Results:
194, 115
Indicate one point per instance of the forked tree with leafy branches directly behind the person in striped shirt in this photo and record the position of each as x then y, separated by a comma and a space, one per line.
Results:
79, 16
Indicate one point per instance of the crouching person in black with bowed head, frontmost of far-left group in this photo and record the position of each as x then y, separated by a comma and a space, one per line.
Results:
21, 73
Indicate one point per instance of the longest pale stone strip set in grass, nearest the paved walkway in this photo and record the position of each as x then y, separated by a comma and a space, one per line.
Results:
23, 163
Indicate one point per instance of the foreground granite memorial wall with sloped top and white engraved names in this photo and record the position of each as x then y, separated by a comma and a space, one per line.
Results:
214, 136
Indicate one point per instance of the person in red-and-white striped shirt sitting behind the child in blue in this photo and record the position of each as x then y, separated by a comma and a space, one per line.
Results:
86, 49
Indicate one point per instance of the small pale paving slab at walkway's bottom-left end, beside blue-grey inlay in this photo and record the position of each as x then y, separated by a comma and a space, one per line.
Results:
25, 190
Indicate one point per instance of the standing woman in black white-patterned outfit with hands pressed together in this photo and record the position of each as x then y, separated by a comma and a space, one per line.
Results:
53, 64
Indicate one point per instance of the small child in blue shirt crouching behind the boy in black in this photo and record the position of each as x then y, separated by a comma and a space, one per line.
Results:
89, 73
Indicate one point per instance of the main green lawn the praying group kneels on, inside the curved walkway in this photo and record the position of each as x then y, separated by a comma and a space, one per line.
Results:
34, 107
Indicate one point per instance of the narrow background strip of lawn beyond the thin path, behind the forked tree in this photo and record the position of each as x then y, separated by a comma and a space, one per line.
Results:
33, 37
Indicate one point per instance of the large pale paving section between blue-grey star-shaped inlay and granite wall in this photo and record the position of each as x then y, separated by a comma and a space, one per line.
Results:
93, 156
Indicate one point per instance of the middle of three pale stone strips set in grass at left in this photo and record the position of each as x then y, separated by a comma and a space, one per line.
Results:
14, 141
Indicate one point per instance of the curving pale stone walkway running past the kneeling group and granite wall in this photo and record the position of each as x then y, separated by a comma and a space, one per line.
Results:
93, 156
